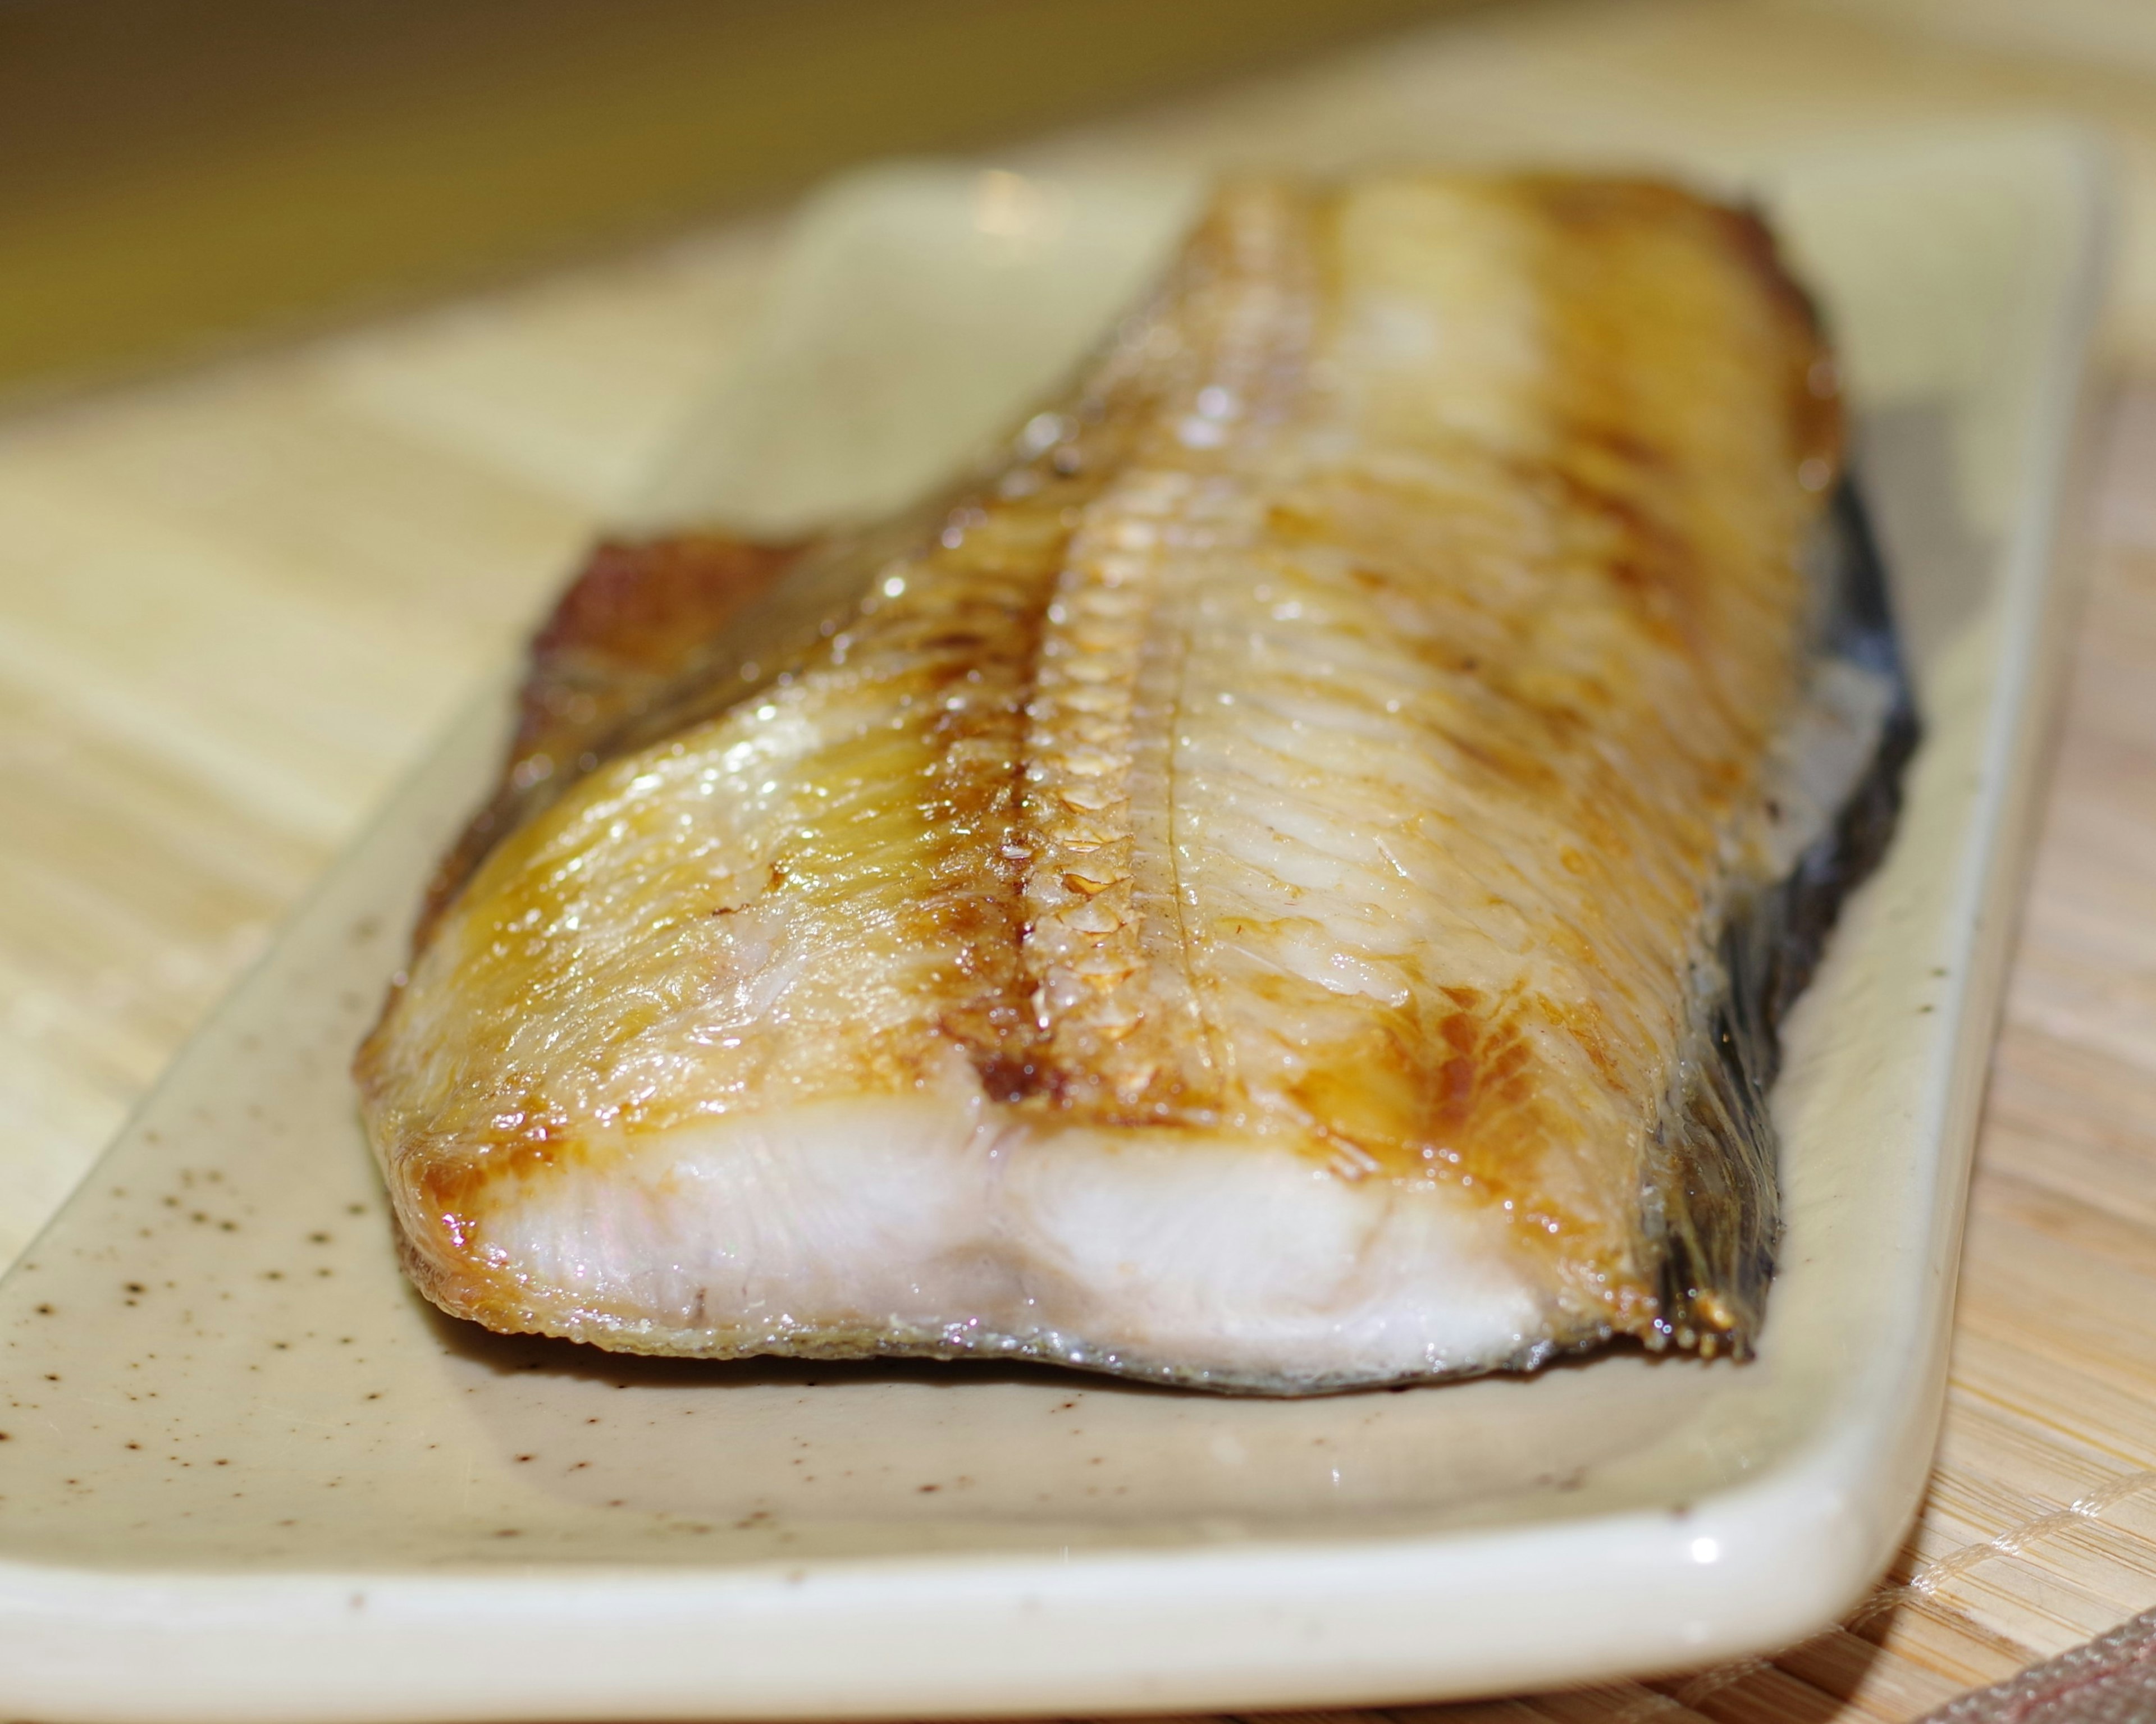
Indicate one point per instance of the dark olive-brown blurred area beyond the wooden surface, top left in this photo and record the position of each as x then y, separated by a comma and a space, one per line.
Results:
178, 173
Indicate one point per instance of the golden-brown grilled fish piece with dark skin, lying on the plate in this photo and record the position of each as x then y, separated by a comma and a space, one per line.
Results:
1290, 882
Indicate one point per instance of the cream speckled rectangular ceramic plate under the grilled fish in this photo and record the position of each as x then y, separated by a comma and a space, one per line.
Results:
249, 1475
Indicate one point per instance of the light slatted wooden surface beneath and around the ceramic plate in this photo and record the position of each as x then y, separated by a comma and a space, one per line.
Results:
236, 607
